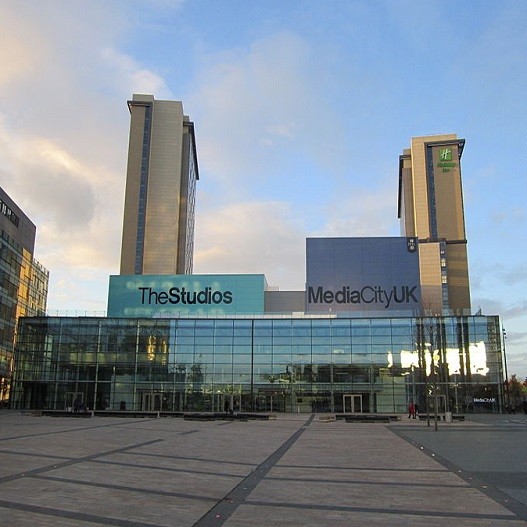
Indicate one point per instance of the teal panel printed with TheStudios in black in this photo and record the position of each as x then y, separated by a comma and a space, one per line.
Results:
159, 296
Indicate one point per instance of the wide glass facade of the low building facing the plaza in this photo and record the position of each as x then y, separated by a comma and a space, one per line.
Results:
278, 364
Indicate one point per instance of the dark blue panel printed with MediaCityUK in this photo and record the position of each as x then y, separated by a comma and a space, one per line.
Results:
362, 274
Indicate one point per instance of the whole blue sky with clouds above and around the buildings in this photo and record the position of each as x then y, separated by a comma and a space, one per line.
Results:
301, 109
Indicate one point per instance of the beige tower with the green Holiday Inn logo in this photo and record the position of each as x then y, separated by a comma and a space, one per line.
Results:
430, 207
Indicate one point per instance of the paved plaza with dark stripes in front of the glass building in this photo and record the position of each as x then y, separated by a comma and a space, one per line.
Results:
294, 470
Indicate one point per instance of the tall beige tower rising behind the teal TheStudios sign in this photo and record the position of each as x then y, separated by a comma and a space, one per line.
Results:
158, 222
